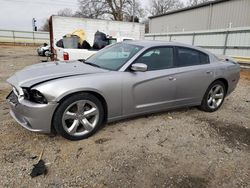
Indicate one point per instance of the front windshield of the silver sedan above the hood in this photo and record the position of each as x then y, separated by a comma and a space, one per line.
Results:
114, 57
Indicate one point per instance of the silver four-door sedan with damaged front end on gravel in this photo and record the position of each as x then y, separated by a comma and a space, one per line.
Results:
122, 80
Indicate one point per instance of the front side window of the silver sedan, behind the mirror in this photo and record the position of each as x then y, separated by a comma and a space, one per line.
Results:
158, 58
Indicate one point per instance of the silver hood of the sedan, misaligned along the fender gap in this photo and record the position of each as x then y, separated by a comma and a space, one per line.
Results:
41, 72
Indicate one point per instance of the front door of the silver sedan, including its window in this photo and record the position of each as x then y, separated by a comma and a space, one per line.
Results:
154, 89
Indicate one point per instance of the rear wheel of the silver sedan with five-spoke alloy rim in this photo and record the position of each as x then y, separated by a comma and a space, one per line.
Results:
214, 97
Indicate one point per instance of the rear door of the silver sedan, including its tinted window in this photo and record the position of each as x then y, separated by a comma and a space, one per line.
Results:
195, 73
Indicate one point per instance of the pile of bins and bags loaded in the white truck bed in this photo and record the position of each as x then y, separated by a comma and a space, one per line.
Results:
77, 40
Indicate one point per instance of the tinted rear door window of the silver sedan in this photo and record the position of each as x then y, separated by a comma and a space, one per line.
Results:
189, 57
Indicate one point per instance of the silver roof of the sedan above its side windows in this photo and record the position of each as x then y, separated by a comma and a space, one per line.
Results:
153, 43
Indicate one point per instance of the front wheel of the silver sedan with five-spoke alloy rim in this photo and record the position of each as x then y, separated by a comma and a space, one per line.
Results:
78, 116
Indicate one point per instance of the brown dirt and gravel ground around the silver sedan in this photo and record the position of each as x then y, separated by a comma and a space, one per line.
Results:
180, 148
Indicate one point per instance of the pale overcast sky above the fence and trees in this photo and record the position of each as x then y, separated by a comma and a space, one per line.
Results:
18, 14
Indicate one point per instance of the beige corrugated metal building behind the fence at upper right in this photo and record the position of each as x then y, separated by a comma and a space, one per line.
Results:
220, 14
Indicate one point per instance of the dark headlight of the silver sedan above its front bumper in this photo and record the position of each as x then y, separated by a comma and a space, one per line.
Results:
34, 96
